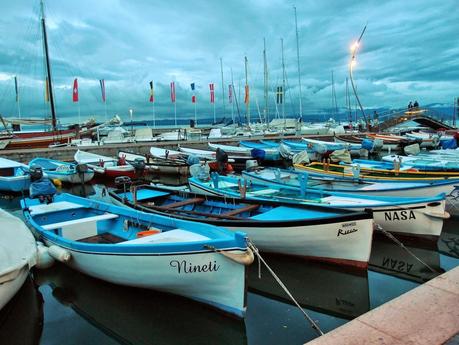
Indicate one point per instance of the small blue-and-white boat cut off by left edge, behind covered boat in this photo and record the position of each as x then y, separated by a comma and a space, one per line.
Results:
14, 176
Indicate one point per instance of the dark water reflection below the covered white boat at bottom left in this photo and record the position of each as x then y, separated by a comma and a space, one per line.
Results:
21, 320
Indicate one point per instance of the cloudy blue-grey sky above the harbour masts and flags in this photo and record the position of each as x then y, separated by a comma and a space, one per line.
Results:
410, 51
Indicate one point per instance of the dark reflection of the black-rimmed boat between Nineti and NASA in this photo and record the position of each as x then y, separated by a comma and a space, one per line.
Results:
314, 285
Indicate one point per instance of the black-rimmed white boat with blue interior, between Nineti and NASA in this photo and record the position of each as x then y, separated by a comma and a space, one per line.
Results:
300, 230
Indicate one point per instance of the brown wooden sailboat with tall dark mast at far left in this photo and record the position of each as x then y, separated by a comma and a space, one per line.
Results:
38, 139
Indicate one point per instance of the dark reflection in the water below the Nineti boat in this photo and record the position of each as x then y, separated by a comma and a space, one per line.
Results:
138, 316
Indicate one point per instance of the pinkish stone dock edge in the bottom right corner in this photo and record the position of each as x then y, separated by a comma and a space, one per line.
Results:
426, 315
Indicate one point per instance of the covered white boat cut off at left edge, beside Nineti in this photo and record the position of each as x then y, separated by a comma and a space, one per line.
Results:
18, 253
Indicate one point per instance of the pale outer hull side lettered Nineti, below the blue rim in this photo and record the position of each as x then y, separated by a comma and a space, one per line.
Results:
207, 277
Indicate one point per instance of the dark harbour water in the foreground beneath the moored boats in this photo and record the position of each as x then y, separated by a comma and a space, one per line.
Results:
63, 306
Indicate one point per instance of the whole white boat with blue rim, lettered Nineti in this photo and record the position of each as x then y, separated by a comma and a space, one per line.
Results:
122, 246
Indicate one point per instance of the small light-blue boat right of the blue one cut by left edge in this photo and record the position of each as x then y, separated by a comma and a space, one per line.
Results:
64, 171
